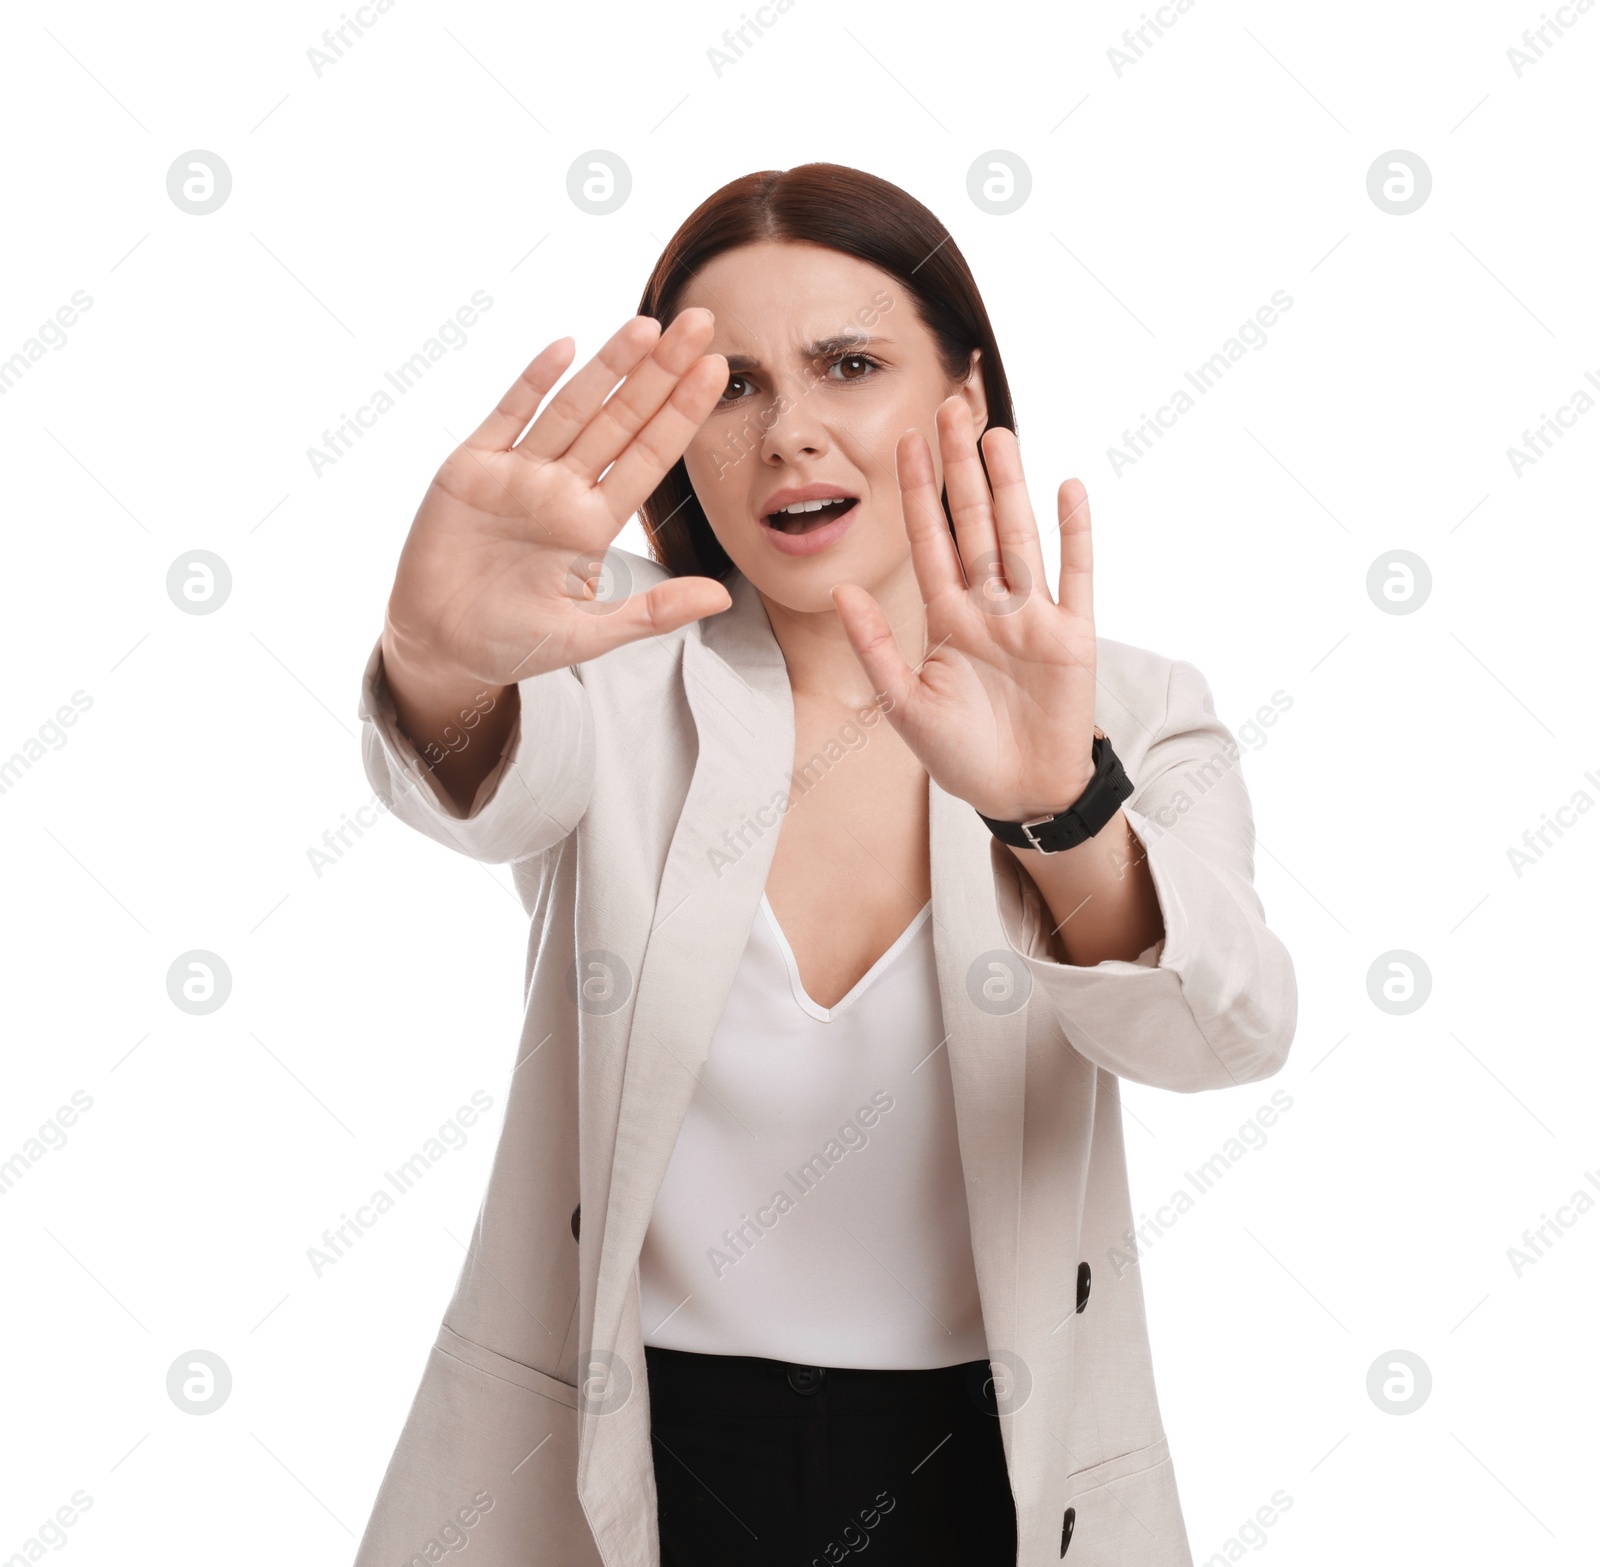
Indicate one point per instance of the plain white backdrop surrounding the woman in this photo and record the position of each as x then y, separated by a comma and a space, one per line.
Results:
369, 1003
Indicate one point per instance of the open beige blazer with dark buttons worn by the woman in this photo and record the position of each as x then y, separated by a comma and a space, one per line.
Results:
638, 803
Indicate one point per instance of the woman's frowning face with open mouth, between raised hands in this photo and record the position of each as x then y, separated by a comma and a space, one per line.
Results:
828, 367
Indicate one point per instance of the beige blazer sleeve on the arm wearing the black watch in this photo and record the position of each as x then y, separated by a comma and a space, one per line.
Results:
1214, 1003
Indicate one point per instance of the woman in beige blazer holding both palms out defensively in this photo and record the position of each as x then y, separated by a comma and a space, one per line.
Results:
860, 870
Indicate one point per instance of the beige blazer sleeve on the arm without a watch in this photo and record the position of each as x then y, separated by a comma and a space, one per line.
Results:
530, 800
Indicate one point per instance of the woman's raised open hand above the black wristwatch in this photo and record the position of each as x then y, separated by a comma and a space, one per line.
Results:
1001, 711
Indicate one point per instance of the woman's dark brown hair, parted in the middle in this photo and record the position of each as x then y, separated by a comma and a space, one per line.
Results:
850, 212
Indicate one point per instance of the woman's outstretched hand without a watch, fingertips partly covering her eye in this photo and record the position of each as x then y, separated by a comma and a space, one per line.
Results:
495, 580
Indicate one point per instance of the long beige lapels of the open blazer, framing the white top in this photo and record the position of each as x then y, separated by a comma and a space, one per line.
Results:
738, 692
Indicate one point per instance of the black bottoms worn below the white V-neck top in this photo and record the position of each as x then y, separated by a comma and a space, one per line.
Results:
764, 1464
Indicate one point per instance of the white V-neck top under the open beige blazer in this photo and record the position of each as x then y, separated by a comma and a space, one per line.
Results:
814, 1209
